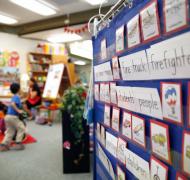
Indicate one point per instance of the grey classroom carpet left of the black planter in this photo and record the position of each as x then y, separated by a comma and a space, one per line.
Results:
41, 160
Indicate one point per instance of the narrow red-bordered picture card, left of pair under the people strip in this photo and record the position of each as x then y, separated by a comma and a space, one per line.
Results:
127, 125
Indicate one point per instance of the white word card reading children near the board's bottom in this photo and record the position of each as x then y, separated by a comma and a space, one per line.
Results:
137, 166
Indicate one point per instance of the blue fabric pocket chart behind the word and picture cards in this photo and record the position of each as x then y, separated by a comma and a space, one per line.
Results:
175, 131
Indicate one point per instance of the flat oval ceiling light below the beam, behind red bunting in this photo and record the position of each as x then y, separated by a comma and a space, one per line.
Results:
64, 37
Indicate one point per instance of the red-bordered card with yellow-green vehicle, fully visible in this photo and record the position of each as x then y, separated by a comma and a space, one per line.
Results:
160, 140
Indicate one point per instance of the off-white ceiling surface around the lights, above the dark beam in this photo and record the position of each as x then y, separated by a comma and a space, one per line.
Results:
63, 7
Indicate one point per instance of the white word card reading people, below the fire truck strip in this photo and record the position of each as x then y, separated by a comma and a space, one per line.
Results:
142, 100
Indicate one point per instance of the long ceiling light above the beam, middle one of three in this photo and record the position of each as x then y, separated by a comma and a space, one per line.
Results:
36, 6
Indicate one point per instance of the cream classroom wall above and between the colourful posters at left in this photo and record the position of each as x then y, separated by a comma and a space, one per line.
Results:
12, 42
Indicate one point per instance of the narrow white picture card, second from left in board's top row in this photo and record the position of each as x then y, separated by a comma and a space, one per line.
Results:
120, 39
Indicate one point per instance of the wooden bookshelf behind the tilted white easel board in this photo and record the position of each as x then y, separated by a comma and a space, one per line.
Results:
38, 68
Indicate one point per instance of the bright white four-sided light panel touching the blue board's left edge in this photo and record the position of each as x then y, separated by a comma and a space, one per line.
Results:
82, 49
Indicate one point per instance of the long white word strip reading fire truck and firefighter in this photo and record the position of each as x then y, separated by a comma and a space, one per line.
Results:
172, 61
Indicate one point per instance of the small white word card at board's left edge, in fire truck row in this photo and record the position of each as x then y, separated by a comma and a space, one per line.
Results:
103, 72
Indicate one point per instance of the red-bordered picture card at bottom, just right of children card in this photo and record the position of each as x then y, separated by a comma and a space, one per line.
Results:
158, 169
